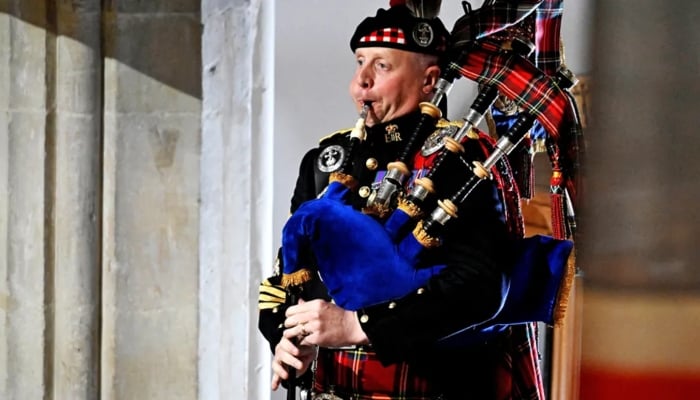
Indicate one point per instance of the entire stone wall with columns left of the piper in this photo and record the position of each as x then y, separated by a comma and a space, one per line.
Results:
128, 259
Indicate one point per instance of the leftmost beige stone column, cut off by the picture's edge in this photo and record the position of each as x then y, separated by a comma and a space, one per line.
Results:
24, 331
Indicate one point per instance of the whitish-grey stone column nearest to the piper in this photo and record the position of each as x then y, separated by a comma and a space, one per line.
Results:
236, 195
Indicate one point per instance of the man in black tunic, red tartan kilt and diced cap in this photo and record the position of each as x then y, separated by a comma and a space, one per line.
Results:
394, 350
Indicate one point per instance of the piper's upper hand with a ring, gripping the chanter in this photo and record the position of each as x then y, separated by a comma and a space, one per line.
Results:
321, 323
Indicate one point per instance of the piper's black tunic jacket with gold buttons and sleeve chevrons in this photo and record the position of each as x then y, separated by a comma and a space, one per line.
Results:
475, 250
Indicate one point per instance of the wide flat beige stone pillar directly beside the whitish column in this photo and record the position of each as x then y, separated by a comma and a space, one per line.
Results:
152, 141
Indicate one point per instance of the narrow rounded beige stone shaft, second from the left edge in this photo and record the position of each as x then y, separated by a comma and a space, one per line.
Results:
74, 165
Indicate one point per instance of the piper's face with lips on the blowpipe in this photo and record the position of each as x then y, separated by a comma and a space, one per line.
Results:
394, 81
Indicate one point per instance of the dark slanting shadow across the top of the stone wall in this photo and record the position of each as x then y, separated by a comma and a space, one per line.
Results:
156, 38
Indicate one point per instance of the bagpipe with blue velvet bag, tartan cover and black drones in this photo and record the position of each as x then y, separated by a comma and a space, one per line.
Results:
370, 256
